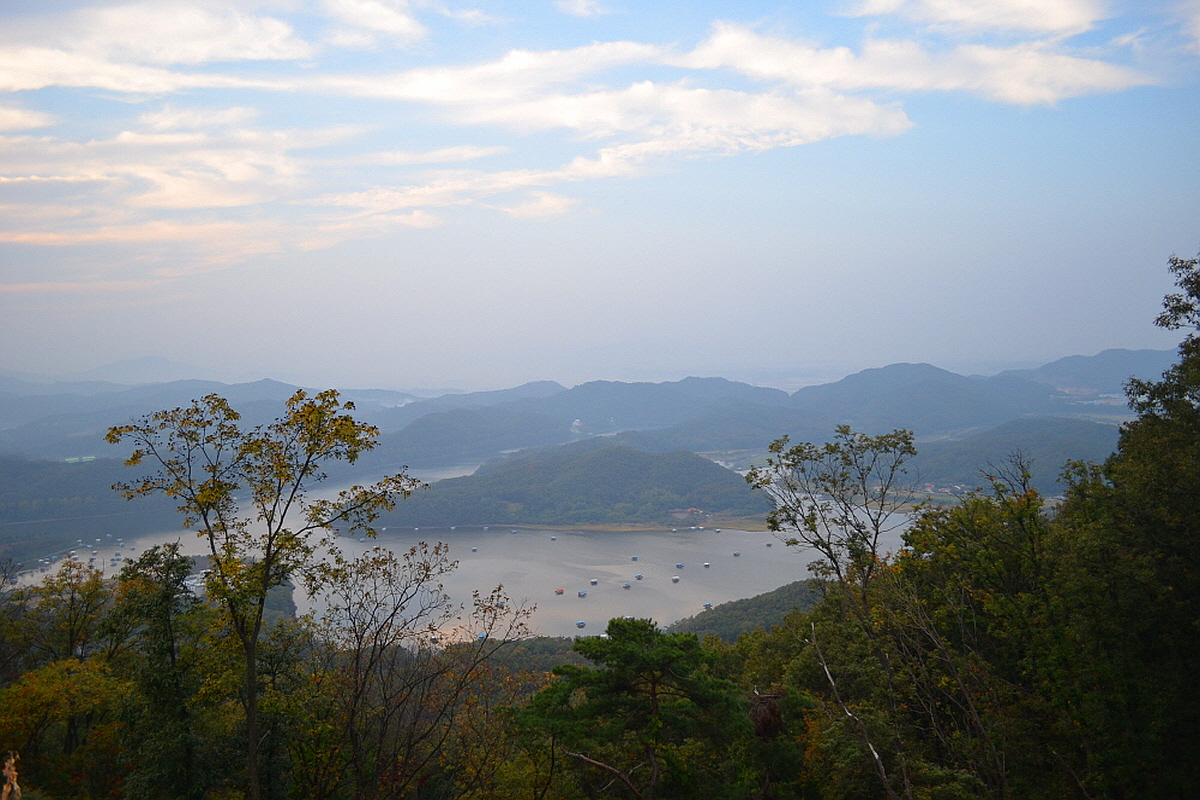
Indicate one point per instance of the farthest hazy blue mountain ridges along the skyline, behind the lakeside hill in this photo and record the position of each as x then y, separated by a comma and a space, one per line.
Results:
710, 416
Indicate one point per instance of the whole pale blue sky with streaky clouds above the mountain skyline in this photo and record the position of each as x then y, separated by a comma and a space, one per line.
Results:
478, 194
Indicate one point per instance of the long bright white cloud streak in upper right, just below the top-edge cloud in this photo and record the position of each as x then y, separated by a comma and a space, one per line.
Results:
1025, 74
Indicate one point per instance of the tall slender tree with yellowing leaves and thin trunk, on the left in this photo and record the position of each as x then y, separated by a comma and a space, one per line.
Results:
205, 460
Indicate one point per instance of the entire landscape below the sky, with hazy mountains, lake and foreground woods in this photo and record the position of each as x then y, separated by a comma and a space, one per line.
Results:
537, 592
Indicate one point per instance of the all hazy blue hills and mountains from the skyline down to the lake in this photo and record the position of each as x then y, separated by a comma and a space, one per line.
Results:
604, 436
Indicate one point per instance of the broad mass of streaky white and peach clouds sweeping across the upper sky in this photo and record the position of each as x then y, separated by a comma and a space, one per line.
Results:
202, 185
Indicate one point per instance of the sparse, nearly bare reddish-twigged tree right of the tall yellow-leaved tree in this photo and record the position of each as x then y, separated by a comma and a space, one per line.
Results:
394, 665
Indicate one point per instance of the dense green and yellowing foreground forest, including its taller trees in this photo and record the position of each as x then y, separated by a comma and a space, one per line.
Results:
1012, 649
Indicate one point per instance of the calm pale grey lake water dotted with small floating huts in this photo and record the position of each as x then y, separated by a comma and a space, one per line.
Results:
532, 563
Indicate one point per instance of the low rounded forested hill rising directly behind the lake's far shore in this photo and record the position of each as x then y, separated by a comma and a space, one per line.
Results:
584, 485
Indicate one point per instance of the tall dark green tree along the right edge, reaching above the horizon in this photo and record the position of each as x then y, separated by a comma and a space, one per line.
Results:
1136, 578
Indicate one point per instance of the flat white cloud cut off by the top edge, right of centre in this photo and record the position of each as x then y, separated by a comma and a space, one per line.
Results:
1028, 16
